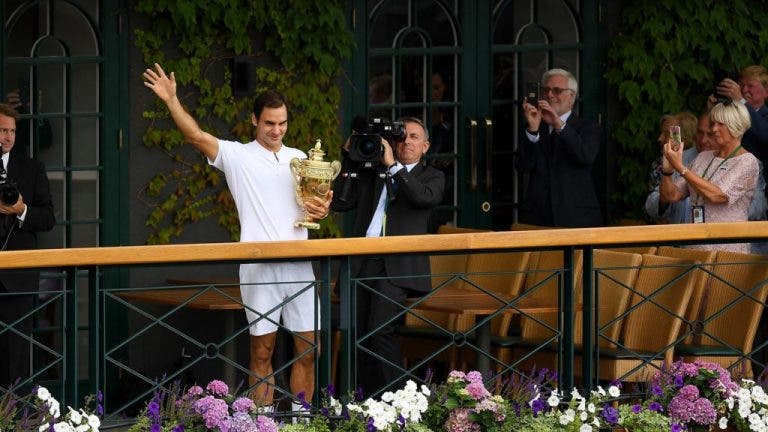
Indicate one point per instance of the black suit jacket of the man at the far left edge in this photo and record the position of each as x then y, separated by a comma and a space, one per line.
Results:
32, 182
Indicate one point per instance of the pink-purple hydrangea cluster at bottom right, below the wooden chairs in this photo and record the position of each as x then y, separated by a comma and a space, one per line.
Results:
694, 395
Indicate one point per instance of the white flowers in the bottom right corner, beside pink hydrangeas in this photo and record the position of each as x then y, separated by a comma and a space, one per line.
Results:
751, 407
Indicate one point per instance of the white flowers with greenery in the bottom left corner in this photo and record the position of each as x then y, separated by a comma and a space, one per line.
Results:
40, 411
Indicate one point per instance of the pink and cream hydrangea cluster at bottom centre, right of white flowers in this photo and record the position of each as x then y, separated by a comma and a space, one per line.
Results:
463, 404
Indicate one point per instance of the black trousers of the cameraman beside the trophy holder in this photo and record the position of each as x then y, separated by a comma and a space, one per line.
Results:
374, 308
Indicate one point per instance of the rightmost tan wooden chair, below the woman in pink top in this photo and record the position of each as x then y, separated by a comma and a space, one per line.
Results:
731, 311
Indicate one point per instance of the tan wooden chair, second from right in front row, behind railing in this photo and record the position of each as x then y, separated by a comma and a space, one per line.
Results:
652, 322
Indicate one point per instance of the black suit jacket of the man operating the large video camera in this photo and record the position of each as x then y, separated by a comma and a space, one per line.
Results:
412, 196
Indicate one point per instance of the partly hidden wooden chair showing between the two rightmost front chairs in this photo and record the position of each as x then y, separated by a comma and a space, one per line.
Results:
702, 270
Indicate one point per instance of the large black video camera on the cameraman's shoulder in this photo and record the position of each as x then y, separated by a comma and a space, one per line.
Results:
365, 146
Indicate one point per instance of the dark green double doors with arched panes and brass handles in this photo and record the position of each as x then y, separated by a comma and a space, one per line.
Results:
461, 66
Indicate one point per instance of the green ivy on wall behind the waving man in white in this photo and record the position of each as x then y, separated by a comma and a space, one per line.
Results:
297, 50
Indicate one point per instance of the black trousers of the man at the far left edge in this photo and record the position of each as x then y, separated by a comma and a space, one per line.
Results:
14, 349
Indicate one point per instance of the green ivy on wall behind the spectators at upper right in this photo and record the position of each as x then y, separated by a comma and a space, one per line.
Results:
667, 59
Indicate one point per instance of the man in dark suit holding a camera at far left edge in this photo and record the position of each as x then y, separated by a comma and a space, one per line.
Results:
20, 221
